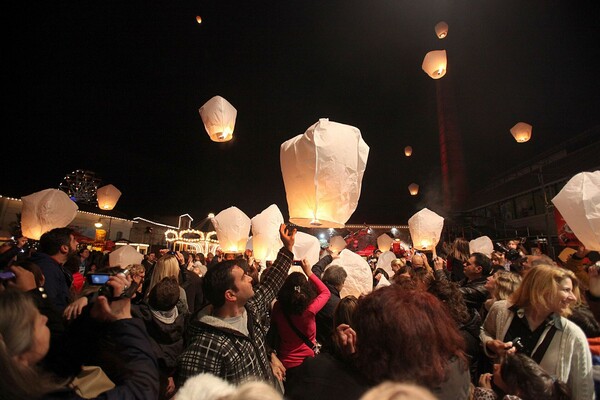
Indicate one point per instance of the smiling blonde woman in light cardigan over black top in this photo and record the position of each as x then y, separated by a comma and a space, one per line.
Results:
533, 322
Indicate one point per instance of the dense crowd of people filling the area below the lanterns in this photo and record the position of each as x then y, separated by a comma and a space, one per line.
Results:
449, 324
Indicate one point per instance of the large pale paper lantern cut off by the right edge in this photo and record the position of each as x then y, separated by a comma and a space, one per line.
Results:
579, 204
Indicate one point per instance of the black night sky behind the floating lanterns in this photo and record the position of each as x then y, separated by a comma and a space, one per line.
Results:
114, 87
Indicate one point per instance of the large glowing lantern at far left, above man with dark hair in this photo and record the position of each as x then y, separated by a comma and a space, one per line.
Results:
45, 210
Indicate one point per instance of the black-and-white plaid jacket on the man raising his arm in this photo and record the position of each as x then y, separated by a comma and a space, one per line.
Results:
218, 348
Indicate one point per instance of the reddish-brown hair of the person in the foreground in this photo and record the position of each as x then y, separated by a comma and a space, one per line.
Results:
426, 337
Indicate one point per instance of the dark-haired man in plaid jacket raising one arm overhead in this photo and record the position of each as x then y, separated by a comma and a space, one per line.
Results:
227, 338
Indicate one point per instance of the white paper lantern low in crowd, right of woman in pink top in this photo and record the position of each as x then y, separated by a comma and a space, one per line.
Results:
360, 279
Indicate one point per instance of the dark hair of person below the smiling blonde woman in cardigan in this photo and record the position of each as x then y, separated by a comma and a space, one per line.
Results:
525, 377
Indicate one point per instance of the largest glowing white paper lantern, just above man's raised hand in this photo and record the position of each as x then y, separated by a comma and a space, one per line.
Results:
322, 171
